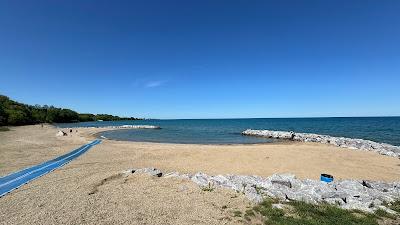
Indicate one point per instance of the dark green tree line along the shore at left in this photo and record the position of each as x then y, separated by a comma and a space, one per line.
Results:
15, 114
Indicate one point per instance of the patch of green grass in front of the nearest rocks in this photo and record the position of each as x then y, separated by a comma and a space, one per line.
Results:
308, 214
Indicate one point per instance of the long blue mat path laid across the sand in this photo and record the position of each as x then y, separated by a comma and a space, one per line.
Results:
15, 180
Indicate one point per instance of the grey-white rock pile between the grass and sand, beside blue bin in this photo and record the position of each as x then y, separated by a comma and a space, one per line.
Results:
348, 194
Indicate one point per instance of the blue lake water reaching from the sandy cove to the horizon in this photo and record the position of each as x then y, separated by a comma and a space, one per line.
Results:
227, 131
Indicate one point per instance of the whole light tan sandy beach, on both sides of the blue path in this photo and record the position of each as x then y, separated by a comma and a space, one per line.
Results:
63, 196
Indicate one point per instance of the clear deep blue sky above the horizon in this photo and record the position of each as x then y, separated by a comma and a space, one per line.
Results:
204, 59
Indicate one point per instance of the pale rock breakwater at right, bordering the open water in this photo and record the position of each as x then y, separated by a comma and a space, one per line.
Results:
360, 144
